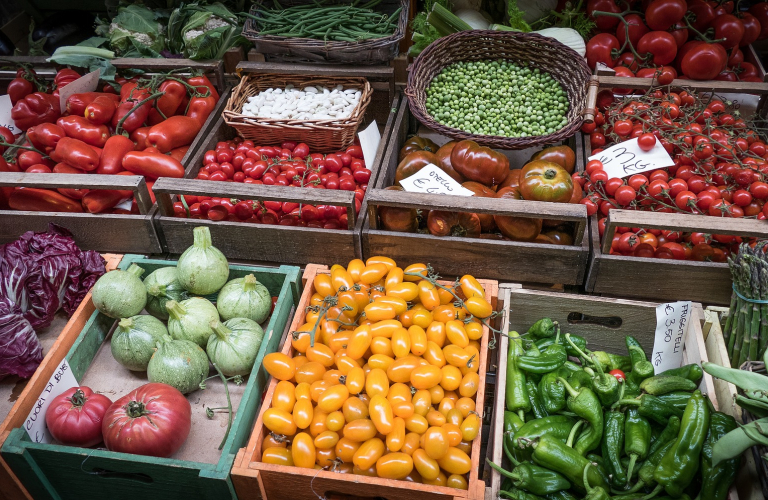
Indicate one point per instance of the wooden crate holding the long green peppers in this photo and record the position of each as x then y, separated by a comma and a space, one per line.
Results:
604, 324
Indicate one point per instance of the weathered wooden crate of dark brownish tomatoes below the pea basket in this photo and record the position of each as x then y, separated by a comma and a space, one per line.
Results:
510, 260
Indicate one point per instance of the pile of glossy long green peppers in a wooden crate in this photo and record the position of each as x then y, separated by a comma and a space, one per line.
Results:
608, 427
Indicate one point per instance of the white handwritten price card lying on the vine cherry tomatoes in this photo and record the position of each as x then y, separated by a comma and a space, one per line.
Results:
626, 158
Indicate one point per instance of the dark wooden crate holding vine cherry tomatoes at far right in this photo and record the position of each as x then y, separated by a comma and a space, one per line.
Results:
660, 279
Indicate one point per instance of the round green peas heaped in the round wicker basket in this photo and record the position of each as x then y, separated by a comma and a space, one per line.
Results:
498, 98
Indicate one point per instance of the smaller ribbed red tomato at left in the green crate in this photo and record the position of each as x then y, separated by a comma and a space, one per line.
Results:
74, 417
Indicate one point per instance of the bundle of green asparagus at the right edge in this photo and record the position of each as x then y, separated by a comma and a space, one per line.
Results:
746, 329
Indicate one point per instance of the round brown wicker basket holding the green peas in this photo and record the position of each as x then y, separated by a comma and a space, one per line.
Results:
545, 53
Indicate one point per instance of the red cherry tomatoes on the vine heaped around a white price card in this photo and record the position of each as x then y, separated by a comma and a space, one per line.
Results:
720, 170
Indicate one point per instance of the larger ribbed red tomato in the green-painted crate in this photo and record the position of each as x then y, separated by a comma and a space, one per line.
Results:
153, 420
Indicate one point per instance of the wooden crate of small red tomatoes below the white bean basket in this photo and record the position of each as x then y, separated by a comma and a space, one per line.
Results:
261, 242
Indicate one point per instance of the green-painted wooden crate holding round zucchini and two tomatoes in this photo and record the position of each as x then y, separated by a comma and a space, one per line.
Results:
198, 469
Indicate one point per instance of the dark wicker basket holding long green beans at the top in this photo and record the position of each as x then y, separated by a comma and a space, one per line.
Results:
285, 49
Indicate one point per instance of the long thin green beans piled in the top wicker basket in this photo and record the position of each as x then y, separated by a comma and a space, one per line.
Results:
343, 23
